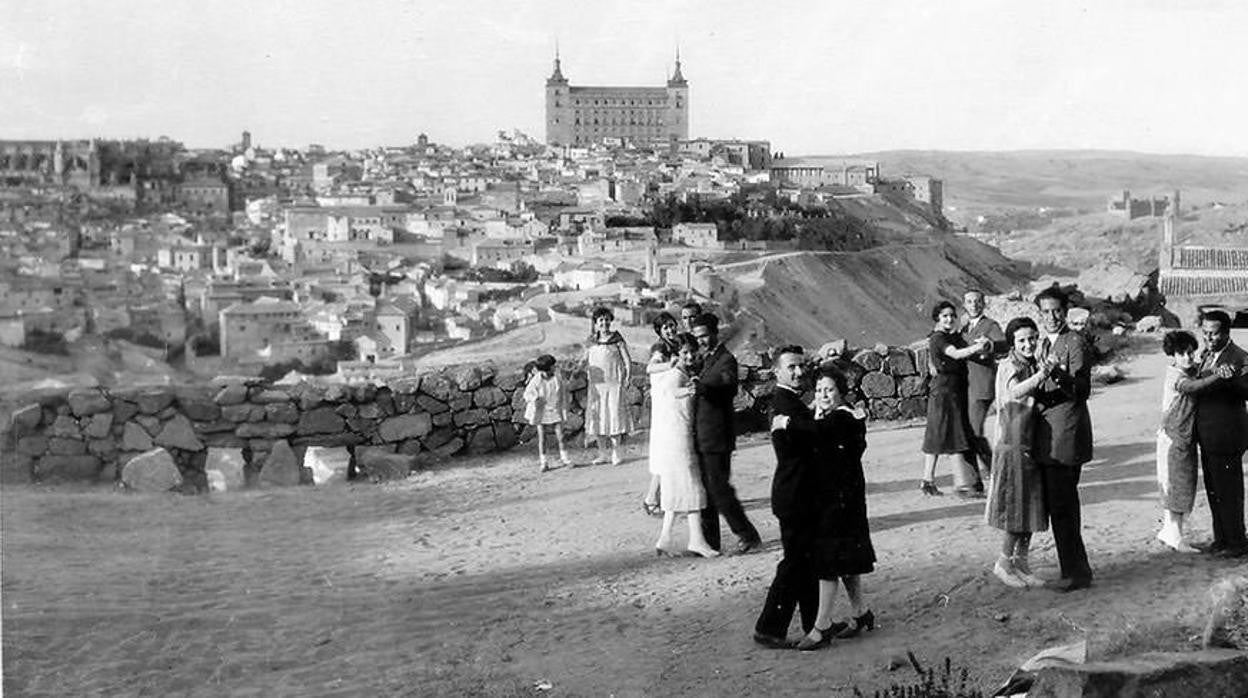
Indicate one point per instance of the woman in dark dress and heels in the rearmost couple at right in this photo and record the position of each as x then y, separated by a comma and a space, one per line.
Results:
949, 430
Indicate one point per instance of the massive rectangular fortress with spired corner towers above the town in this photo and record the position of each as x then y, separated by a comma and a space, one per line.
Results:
581, 117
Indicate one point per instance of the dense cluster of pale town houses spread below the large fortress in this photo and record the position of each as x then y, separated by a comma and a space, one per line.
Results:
383, 250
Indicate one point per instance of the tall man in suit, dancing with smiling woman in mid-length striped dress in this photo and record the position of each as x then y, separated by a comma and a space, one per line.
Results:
1064, 435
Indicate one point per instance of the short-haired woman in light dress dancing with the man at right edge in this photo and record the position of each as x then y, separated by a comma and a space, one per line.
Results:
1176, 445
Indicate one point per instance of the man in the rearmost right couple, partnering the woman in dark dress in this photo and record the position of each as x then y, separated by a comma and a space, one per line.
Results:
982, 378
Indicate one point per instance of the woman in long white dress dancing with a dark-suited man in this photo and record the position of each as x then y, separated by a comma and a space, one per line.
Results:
672, 453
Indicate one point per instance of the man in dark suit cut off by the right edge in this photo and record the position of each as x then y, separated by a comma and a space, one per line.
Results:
1222, 434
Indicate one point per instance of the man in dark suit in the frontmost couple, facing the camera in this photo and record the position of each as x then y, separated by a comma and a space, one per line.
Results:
796, 585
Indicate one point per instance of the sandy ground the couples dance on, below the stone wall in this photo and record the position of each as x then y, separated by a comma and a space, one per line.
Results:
486, 579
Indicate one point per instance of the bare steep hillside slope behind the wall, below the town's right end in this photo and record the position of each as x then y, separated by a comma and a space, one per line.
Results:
883, 295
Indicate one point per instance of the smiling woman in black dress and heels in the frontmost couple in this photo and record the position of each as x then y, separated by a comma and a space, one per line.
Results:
843, 539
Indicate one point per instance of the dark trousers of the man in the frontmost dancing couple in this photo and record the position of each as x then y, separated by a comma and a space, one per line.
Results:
796, 585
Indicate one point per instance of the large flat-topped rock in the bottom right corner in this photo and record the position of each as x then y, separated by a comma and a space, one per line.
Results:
1156, 675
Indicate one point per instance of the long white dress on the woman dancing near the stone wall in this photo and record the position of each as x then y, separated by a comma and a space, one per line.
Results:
672, 443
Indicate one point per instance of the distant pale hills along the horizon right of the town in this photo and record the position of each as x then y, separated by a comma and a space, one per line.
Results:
1074, 179
